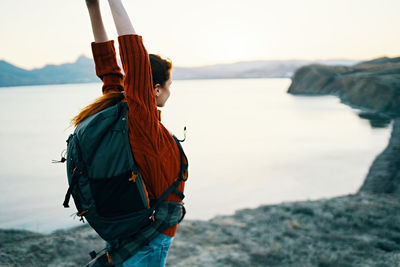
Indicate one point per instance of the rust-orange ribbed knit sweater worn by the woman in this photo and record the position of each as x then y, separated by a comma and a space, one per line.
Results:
154, 149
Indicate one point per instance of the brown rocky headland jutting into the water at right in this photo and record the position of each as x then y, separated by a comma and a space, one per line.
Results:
374, 85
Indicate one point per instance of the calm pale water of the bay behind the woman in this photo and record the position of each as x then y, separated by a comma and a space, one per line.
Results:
249, 143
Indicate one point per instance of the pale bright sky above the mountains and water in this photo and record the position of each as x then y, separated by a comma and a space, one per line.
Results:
194, 33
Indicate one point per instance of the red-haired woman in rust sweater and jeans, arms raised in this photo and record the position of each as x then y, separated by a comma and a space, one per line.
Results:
145, 87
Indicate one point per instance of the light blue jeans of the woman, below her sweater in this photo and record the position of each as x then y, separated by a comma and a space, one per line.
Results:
152, 255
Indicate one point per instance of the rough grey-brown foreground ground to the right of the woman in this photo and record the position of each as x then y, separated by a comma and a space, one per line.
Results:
356, 230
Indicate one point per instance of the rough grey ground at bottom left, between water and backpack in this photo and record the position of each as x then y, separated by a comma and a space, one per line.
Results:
61, 248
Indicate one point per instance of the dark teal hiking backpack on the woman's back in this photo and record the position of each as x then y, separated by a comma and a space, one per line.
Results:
103, 177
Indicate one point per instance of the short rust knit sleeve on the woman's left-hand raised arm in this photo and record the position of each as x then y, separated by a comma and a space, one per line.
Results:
106, 65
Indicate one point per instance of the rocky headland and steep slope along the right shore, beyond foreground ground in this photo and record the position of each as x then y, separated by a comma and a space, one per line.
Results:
373, 86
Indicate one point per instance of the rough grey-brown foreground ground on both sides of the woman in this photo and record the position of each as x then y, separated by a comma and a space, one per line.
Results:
354, 230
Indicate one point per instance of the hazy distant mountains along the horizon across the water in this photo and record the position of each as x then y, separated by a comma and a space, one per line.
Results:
82, 71
